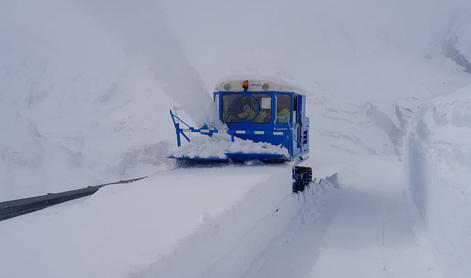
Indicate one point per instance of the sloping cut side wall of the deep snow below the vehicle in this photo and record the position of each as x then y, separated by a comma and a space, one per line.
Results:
227, 245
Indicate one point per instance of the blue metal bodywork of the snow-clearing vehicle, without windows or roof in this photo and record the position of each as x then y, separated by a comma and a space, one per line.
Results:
293, 136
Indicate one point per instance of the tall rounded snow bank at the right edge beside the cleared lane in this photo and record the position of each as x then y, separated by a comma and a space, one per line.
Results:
439, 170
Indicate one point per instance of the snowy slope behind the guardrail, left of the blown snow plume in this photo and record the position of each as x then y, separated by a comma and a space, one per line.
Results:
76, 109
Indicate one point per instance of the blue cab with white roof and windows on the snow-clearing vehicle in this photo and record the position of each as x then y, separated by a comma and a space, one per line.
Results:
263, 111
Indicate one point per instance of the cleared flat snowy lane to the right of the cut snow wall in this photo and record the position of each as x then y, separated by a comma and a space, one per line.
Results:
366, 228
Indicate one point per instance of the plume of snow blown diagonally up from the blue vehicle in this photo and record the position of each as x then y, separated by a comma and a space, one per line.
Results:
142, 28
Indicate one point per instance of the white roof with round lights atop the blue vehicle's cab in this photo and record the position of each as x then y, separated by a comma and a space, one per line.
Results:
255, 86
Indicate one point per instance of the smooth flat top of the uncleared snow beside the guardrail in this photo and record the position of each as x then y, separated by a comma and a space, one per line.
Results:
123, 229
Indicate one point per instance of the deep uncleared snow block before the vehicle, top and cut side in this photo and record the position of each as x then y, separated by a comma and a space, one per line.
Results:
174, 224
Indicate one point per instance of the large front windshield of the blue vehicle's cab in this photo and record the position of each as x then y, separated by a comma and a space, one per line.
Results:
253, 108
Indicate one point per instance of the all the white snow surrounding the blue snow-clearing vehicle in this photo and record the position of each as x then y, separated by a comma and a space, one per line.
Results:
85, 90
